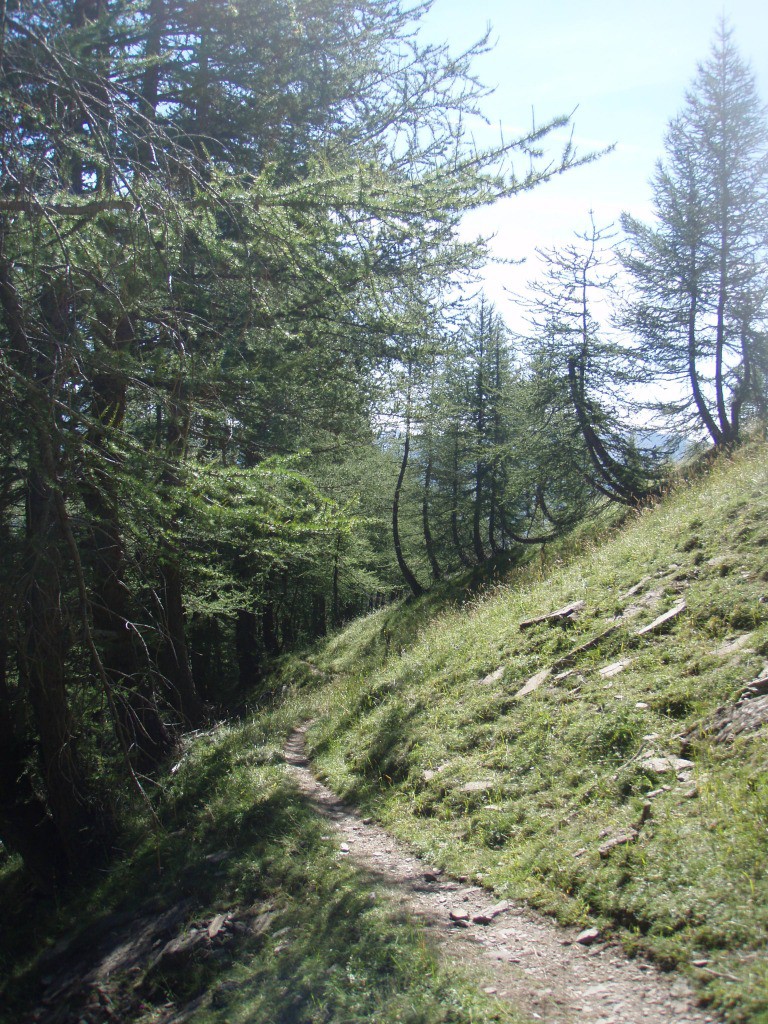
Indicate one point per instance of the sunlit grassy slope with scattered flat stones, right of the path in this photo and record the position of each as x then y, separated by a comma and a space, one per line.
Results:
401, 732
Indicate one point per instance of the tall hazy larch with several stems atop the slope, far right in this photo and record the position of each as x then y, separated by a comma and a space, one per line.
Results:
699, 274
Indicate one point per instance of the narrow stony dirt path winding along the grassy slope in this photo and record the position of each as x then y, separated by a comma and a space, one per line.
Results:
520, 956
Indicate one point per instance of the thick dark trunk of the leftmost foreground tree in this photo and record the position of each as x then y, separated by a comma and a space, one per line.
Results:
82, 829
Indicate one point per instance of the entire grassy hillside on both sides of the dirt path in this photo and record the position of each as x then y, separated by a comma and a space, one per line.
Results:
607, 764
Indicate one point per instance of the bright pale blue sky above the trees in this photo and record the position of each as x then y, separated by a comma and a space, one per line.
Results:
622, 67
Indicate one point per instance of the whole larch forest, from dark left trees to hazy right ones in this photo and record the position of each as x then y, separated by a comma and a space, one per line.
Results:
250, 387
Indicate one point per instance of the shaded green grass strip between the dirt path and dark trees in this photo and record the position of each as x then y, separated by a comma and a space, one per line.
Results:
234, 836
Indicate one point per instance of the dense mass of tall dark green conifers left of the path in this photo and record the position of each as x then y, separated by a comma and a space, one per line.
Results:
216, 227
